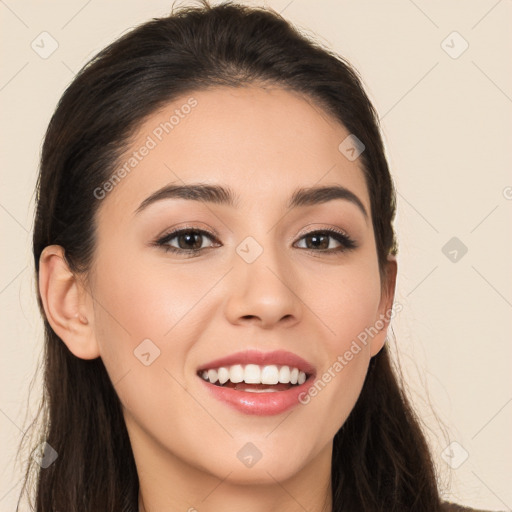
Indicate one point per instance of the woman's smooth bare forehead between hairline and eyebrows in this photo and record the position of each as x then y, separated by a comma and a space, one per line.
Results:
261, 141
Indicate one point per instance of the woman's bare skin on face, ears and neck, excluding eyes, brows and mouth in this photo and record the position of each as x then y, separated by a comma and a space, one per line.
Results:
263, 143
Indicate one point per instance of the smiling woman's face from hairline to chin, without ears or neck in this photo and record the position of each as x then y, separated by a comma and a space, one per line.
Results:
255, 281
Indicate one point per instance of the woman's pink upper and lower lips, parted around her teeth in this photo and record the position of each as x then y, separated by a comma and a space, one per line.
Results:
261, 404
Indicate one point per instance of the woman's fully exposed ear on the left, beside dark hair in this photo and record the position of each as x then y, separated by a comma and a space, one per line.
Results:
67, 305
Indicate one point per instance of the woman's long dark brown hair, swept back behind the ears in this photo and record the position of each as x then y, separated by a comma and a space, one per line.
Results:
380, 460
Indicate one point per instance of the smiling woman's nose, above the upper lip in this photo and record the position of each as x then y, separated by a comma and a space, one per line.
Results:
262, 291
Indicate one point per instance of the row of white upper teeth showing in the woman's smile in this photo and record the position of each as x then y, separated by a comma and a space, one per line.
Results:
254, 374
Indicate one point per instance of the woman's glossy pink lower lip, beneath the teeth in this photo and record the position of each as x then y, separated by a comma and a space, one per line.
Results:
259, 404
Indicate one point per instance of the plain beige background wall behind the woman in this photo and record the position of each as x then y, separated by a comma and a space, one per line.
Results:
447, 125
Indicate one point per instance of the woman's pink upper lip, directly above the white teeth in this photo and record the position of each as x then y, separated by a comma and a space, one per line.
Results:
277, 357
